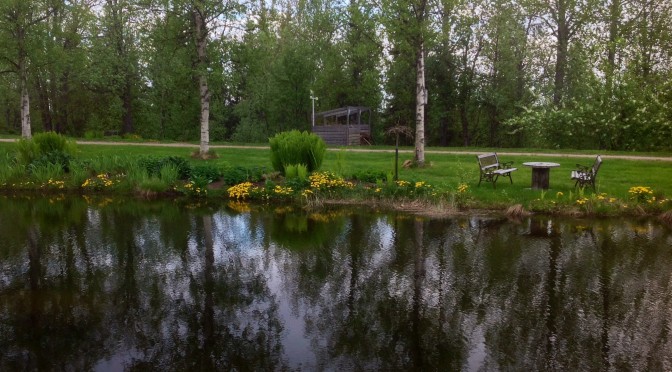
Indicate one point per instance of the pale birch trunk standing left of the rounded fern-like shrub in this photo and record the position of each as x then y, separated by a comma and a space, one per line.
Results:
204, 92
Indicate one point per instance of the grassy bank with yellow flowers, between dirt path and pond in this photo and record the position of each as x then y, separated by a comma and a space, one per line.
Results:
450, 180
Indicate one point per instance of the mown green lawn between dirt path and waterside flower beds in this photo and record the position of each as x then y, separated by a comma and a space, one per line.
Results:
446, 172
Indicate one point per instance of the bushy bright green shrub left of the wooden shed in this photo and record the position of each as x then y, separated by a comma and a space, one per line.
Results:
295, 147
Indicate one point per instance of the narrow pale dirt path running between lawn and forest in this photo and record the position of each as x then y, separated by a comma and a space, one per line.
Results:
430, 151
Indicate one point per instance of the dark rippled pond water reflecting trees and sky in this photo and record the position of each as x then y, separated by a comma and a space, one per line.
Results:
107, 285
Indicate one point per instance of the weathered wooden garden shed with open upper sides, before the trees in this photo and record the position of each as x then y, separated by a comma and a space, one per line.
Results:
345, 126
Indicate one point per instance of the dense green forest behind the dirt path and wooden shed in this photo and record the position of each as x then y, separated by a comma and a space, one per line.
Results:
582, 74
